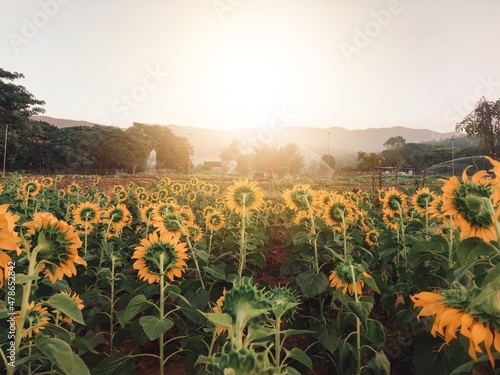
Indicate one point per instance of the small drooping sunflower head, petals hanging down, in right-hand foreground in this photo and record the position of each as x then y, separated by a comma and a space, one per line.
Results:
342, 277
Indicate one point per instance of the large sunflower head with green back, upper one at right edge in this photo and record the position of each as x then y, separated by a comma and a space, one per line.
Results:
470, 203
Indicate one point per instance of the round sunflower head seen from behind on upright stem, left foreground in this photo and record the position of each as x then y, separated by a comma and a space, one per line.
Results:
160, 253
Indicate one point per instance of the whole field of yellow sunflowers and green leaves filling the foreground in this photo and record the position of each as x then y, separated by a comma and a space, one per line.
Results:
152, 277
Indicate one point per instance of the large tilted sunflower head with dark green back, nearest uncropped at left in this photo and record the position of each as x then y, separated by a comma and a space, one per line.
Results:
57, 244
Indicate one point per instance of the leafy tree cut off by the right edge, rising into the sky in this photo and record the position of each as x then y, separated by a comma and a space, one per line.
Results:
484, 122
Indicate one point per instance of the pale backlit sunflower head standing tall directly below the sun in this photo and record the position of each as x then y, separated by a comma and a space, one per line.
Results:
244, 195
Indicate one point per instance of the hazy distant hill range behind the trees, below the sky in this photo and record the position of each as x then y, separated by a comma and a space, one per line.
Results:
313, 142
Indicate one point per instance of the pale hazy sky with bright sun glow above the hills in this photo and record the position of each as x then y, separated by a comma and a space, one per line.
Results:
226, 64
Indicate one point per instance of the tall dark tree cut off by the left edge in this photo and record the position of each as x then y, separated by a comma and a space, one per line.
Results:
17, 105
